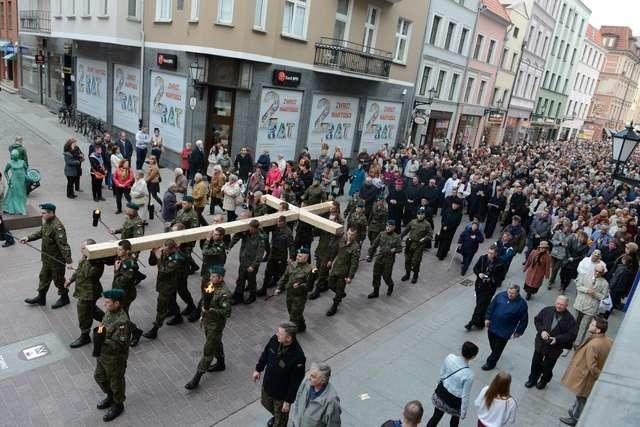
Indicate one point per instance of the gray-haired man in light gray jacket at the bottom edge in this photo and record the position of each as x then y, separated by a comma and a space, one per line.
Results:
317, 402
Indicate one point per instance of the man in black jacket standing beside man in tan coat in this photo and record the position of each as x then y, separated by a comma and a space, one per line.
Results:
557, 330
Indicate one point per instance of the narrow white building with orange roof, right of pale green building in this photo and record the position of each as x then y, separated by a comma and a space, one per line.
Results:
583, 87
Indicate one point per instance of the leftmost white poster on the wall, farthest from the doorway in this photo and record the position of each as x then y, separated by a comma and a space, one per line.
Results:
91, 87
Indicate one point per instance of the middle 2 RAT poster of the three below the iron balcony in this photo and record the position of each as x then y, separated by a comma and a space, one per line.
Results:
333, 121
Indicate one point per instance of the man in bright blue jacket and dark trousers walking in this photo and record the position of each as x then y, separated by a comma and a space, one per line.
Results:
507, 316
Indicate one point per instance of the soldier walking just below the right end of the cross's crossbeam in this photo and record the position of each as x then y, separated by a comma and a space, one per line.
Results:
343, 267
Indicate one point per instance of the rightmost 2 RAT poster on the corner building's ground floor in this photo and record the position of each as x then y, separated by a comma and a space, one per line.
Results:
381, 120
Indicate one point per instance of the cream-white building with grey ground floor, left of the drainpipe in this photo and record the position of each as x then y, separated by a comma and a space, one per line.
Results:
88, 57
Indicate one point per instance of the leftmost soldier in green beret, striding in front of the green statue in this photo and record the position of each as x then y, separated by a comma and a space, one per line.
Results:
55, 254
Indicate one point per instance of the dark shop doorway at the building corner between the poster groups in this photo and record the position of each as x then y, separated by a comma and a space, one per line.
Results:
220, 118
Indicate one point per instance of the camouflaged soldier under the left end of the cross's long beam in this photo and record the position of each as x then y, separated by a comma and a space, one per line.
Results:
88, 291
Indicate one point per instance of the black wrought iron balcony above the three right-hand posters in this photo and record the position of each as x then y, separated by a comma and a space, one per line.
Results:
352, 57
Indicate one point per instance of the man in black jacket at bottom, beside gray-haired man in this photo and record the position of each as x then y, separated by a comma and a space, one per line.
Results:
283, 362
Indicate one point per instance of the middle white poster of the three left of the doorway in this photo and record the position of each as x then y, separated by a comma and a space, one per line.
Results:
126, 97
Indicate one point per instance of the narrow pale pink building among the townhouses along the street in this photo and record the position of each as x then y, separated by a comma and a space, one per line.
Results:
480, 77
